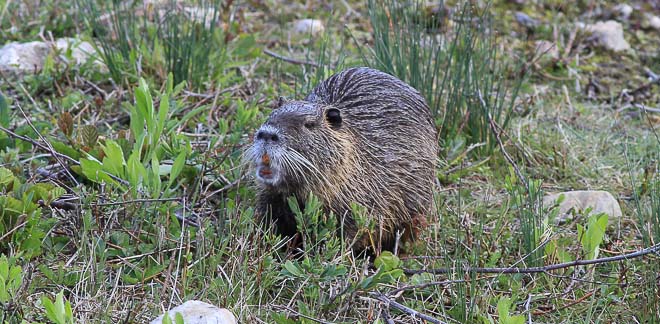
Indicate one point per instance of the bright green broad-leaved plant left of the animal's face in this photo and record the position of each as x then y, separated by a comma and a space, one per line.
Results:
139, 167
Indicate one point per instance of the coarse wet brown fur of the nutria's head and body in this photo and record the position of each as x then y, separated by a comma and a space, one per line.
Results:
361, 136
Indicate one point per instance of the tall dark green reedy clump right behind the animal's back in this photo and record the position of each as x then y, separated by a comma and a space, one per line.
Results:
451, 74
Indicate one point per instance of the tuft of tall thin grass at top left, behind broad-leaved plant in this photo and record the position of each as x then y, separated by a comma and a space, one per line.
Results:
161, 38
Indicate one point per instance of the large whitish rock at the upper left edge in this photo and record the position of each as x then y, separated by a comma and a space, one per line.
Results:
20, 58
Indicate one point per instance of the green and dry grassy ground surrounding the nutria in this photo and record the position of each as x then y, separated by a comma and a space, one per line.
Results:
163, 212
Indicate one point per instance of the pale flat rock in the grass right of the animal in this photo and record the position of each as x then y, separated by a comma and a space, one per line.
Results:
580, 200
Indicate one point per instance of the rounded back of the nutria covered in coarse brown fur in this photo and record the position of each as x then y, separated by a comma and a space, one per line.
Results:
397, 136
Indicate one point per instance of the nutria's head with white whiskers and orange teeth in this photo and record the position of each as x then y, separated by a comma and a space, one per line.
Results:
299, 143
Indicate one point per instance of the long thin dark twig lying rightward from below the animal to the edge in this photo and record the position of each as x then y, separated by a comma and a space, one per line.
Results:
552, 267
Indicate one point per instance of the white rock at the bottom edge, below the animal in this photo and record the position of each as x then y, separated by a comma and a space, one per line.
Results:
197, 312
